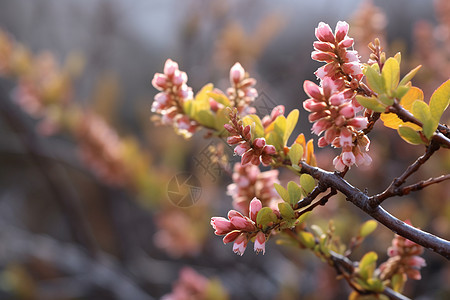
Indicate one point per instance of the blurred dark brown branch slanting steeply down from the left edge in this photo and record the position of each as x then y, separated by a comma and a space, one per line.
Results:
51, 173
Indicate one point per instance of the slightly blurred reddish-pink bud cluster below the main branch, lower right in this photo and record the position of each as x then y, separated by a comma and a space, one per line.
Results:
403, 259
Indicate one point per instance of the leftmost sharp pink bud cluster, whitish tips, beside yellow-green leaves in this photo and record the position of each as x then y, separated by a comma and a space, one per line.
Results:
169, 102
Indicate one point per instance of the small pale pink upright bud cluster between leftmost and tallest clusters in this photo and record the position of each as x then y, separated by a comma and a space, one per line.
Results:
242, 92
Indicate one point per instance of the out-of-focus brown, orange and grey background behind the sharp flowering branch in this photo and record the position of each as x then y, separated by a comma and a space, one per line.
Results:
87, 208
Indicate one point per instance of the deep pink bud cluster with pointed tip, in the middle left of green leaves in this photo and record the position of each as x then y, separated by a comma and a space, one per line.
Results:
254, 152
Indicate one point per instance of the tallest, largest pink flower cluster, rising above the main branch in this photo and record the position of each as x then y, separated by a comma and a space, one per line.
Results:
331, 104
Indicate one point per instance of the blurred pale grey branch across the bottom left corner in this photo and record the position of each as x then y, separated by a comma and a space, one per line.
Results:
19, 245
